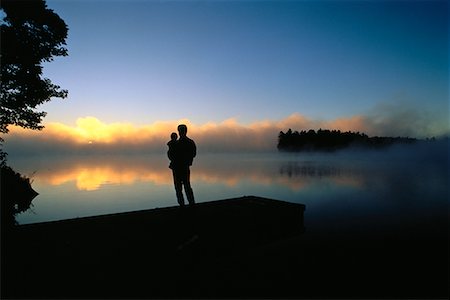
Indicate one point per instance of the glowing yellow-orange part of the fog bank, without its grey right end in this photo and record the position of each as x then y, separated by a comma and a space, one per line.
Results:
229, 135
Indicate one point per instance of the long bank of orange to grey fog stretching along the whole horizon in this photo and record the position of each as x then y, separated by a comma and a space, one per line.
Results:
91, 135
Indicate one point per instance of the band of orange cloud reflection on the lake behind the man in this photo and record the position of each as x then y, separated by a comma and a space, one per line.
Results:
93, 173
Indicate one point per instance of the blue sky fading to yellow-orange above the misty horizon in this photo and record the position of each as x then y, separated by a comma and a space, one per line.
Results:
245, 66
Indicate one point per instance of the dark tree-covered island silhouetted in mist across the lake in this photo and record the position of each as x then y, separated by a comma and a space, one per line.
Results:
329, 140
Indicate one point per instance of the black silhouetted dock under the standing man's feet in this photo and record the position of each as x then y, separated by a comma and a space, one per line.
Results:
164, 252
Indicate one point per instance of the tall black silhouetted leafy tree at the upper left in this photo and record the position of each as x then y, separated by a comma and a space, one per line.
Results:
31, 34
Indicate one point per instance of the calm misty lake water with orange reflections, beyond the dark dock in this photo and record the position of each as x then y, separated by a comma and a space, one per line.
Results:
340, 190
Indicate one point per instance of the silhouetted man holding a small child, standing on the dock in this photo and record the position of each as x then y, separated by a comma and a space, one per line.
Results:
183, 154
